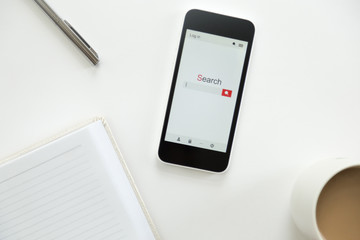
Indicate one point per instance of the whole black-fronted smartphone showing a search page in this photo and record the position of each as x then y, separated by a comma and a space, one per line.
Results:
206, 90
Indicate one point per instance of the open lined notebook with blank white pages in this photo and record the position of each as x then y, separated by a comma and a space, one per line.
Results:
76, 186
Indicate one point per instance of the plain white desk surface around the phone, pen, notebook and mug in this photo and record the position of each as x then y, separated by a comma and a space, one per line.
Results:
301, 101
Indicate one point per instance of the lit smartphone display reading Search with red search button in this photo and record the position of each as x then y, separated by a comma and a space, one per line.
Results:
206, 90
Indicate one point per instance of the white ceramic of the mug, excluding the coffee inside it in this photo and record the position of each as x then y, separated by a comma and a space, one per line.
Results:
307, 189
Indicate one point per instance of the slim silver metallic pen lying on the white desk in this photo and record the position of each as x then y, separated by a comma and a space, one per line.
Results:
70, 32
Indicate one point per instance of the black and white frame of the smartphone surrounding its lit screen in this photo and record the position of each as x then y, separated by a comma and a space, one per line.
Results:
195, 157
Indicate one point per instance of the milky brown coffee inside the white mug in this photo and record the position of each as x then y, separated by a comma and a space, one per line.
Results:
338, 206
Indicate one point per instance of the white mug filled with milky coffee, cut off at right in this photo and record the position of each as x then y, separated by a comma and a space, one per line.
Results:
325, 201
